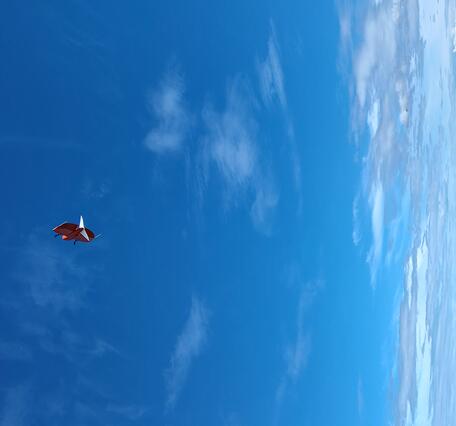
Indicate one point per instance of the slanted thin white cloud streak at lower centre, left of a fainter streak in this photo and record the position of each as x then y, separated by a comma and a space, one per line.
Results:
188, 347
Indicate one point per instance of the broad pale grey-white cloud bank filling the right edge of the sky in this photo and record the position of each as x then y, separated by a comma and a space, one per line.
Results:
401, 75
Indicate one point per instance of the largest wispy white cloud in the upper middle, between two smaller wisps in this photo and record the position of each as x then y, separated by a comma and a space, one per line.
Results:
230, 146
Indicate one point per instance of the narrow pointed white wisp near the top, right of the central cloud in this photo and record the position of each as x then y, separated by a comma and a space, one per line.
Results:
271, 74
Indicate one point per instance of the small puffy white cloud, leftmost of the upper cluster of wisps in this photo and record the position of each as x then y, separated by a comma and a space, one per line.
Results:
172, 118
